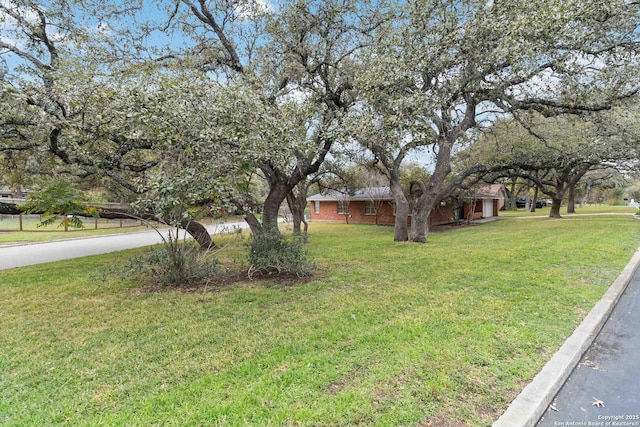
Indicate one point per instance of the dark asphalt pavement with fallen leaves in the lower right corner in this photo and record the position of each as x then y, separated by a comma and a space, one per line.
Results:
604, 388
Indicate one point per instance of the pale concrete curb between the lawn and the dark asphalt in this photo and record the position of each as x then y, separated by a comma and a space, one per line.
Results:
527, 409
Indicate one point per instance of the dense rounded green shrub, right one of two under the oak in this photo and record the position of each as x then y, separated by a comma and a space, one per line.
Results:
271, 253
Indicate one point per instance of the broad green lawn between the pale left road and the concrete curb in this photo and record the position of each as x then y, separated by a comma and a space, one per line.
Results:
389, 334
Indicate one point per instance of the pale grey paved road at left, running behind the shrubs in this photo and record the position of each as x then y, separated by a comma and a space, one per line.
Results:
38, 253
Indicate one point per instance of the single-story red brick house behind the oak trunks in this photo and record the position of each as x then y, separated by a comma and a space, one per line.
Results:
374, 205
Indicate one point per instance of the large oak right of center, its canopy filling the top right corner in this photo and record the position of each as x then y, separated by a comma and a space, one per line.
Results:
452, 66
